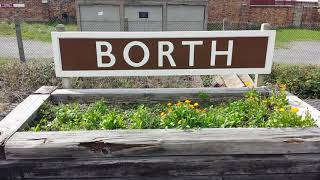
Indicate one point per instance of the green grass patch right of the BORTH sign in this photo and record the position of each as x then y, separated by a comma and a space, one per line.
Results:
286, 36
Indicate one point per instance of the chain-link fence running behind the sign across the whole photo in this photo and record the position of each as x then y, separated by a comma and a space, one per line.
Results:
293, 45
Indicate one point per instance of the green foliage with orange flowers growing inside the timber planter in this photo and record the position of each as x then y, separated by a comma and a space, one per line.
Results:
252, 111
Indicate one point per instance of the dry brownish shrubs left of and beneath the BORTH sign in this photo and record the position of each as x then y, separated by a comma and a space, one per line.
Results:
17, 80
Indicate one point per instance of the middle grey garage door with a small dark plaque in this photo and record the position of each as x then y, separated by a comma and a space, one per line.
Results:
144, 18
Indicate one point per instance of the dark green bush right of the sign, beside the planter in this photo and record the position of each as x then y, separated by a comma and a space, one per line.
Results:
301, 80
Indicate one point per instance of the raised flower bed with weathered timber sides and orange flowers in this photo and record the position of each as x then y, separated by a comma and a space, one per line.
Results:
133, 152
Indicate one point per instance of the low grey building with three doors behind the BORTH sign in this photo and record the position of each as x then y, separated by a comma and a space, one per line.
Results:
142, 15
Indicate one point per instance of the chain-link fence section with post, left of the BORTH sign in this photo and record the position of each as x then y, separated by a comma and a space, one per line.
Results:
22, 41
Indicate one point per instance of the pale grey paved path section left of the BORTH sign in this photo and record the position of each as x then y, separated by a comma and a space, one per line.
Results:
33, 49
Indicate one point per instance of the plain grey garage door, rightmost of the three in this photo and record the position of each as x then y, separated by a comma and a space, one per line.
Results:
185, 18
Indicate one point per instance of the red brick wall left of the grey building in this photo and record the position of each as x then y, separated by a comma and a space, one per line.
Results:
35, 10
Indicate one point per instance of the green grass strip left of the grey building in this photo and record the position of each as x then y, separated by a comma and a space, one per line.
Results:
32, 31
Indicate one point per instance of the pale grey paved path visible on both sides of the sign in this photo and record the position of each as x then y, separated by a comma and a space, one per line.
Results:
296, 53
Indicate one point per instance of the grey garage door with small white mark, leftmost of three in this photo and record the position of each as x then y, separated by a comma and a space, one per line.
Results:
100, 18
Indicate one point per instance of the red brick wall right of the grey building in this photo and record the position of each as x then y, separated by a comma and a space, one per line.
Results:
240, 11
